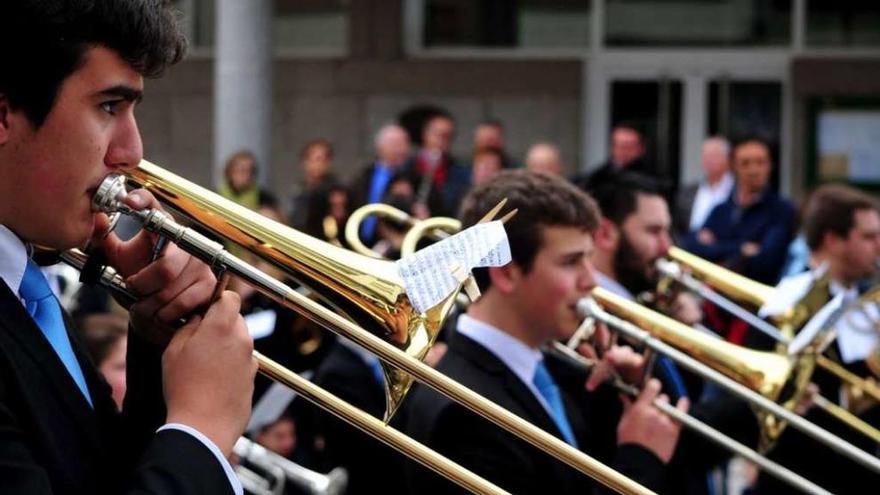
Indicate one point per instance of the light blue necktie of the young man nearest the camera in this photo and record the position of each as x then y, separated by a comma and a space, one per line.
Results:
45, 310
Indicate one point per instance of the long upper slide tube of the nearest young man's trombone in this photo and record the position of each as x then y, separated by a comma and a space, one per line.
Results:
222, 261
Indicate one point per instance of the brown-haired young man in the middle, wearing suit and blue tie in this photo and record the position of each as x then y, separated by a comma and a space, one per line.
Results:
496, 353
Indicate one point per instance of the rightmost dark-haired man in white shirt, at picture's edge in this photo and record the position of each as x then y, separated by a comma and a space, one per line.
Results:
841, 226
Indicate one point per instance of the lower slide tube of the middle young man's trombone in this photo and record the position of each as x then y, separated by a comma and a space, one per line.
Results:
769, 466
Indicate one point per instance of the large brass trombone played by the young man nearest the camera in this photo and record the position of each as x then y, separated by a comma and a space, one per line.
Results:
366, 290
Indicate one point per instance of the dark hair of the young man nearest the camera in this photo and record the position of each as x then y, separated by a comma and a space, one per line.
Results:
44, 41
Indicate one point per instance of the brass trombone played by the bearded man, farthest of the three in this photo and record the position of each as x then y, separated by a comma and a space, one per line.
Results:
744, 289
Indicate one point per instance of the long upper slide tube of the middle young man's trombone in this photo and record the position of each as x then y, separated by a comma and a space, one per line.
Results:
644, 337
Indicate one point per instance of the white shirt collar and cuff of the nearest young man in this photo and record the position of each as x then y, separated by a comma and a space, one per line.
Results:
13, 261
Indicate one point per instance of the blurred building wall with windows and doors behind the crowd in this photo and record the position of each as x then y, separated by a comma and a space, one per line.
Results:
551, 70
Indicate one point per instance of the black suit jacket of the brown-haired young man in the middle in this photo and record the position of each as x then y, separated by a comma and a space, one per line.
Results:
494, 453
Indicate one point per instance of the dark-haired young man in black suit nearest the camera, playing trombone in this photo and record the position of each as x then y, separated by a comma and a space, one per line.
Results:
71, 75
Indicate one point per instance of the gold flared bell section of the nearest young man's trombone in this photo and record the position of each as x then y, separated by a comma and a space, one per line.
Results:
367, 291
